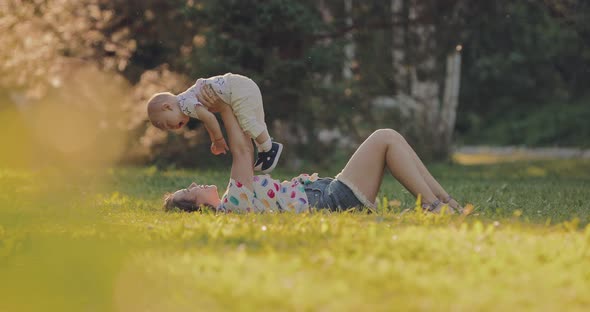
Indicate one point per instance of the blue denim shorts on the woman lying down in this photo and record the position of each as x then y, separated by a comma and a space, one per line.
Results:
331, 194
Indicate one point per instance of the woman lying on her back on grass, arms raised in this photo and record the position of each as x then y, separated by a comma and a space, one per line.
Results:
356, 185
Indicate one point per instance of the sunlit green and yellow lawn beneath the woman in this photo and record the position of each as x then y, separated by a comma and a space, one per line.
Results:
97, 241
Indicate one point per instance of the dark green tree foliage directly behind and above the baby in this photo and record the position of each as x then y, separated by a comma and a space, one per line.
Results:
274, 43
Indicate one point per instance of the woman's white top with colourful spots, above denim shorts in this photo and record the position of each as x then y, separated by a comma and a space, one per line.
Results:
268, 195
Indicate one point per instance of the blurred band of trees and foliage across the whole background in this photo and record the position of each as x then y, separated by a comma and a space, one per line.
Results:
516, 57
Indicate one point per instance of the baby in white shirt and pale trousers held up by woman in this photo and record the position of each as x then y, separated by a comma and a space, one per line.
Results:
167, 111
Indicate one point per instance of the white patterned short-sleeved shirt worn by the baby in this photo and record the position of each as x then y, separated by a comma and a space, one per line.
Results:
188, 99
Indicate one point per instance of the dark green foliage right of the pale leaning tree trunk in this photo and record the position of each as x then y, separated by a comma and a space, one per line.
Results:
520, 57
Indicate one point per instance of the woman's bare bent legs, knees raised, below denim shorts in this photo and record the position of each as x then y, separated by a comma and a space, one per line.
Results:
385, 148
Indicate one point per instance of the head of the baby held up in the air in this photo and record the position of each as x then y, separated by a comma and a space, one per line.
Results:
164, 112
